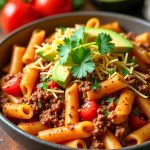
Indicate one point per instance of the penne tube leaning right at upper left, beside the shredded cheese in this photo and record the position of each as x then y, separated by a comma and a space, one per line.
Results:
36, 39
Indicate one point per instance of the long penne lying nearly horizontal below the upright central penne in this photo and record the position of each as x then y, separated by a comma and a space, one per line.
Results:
62, 134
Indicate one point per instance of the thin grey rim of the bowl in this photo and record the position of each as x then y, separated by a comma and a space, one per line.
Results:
64, 15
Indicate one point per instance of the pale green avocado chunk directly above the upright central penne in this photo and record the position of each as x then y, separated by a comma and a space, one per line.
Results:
61, 75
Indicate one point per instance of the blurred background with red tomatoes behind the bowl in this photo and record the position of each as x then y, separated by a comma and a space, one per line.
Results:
15, 13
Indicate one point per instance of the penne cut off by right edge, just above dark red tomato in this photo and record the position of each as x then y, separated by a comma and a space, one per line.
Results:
144, 105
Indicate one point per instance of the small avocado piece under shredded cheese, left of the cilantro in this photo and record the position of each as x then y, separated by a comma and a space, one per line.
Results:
49, 56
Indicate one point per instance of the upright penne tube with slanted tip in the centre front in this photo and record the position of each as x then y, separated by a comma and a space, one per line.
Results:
71, 105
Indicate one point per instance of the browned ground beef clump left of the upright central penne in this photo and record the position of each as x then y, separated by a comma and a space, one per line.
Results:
47, 109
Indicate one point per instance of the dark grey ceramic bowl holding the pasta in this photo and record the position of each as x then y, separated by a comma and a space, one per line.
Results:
21, 37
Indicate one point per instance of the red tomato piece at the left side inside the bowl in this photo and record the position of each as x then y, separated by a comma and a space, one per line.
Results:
12, 87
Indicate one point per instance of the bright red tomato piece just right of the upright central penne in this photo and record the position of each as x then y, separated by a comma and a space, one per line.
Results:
89, 110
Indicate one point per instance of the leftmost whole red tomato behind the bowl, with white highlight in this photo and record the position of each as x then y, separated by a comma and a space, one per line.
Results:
16, 13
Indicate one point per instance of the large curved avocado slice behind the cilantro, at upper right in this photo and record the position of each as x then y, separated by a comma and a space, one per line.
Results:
122, 44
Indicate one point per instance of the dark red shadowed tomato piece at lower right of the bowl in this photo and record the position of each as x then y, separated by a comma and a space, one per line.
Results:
136, 122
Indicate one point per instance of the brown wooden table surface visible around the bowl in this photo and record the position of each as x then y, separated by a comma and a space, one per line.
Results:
6, 143
